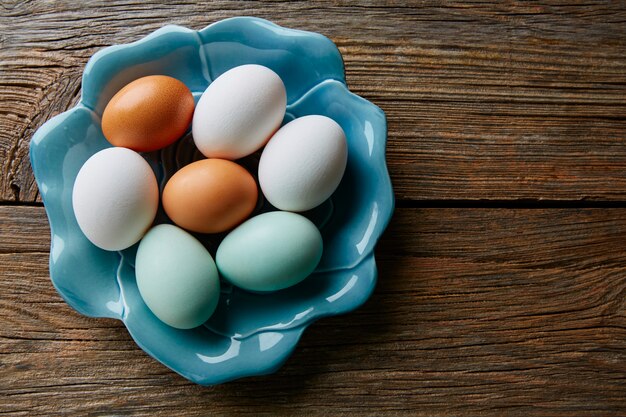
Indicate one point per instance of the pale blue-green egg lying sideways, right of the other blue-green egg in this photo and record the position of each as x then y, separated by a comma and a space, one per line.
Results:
270, 252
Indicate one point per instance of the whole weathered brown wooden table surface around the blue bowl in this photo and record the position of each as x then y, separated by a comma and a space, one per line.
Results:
502, 275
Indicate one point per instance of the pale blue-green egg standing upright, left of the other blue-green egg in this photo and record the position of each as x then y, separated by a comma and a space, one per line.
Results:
176, 277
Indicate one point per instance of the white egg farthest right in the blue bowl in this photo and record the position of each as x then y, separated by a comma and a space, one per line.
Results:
303, 163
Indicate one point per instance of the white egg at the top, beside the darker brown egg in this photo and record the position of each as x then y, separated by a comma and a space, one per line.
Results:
238, 112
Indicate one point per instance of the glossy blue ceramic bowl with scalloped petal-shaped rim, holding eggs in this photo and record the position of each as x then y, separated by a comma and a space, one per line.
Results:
250, 334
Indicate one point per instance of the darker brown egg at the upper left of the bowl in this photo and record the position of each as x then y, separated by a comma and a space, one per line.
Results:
148, 114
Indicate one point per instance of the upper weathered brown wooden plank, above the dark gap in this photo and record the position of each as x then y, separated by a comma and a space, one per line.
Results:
486, 100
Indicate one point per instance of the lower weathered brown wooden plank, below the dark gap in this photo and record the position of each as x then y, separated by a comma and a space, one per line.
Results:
477, 312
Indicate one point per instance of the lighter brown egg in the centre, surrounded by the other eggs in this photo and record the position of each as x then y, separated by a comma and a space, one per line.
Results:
210, 196
